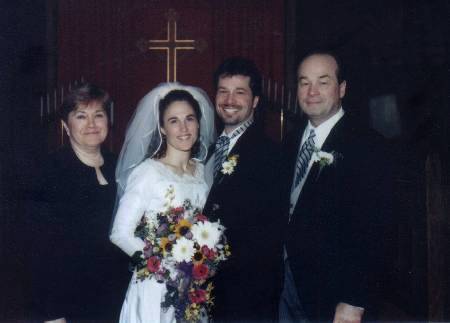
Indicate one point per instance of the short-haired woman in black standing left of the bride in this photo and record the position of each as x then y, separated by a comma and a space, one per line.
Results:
83, 273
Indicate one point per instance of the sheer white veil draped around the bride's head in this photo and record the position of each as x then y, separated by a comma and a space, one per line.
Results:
143, 137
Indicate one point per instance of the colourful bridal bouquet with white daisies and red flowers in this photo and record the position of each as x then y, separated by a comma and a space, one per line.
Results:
183, 249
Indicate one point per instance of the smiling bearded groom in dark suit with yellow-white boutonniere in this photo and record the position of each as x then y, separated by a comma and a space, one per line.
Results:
245, 197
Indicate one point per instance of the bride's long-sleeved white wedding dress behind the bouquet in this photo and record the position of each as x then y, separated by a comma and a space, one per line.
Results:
145, 192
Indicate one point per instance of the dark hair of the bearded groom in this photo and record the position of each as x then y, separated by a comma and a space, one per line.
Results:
240, 66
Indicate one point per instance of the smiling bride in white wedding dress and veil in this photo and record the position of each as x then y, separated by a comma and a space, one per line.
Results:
165, 142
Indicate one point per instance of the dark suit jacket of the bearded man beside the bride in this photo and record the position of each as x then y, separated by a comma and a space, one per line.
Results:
247, 202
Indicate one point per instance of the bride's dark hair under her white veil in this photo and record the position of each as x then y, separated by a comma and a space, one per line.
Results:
171, 97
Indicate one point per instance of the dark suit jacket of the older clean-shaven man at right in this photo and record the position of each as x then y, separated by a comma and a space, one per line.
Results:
335, 237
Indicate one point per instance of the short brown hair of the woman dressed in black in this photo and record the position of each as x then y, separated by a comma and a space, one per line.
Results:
84, 94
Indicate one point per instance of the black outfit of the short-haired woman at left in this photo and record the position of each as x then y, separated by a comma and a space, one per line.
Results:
83, 276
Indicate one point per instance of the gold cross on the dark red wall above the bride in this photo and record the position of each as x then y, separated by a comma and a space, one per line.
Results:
171, 45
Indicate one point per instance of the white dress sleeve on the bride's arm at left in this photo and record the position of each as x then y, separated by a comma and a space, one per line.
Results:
130, 211
